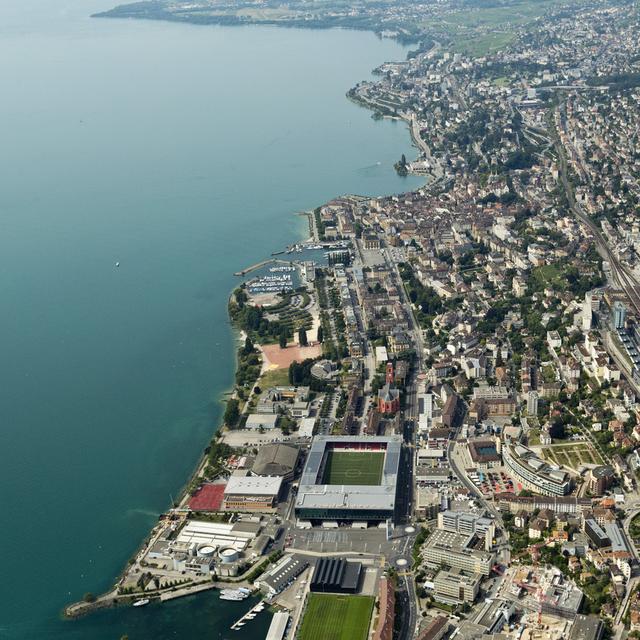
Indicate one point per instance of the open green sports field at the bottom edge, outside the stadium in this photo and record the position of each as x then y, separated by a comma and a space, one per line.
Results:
336, 617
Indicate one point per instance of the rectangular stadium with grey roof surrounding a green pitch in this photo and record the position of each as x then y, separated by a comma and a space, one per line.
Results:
349, 479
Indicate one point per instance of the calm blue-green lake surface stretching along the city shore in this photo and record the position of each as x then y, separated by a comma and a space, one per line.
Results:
182, 152
